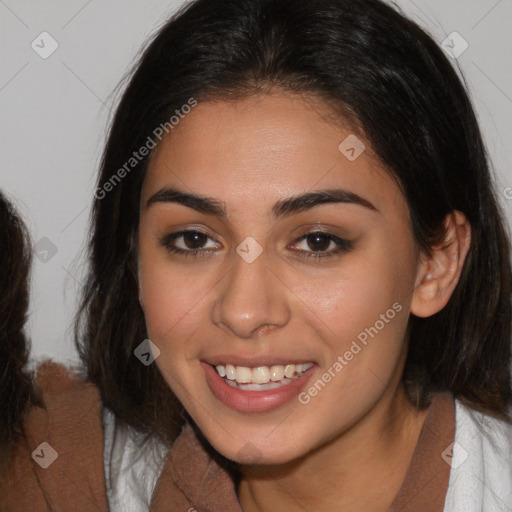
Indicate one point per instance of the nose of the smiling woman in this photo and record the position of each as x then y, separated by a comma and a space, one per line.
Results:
251, 299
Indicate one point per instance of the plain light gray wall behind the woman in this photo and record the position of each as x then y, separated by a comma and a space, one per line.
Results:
55, 112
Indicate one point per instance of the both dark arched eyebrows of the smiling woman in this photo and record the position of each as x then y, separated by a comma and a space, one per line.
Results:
282, 208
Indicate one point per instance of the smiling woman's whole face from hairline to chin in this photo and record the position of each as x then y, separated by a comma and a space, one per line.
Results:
281, 315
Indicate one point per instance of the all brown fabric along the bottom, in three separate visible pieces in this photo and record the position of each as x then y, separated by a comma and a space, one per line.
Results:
190, 478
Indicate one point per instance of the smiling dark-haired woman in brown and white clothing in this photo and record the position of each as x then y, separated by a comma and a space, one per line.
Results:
299, 292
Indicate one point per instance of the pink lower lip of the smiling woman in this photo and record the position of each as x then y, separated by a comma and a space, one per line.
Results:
253, 401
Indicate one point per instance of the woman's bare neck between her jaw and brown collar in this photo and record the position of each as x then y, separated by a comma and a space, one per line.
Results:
361, 470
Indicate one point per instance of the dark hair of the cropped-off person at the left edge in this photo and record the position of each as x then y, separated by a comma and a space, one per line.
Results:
16, 389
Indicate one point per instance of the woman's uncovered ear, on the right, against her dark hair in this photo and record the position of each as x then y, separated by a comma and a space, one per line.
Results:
439, 273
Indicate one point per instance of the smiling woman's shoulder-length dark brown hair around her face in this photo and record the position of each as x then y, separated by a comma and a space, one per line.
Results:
402, 90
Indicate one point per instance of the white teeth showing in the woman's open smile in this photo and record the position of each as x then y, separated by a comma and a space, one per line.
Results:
261, 378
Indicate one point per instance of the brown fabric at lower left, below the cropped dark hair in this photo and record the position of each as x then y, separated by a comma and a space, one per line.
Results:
58, 463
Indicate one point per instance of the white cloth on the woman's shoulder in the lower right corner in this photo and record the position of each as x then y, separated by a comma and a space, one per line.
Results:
481, 466
